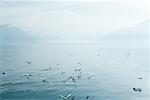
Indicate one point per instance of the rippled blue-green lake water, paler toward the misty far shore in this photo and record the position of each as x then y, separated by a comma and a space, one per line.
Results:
105, 73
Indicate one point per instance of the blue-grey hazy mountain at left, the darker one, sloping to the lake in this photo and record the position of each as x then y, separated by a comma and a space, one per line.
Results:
13, 35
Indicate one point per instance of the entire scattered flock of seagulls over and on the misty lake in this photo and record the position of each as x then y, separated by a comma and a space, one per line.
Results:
68, 96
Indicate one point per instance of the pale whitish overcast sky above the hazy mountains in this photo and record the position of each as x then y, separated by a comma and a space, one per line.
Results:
73, 19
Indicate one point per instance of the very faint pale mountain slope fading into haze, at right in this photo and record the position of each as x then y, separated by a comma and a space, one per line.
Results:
136, 37
